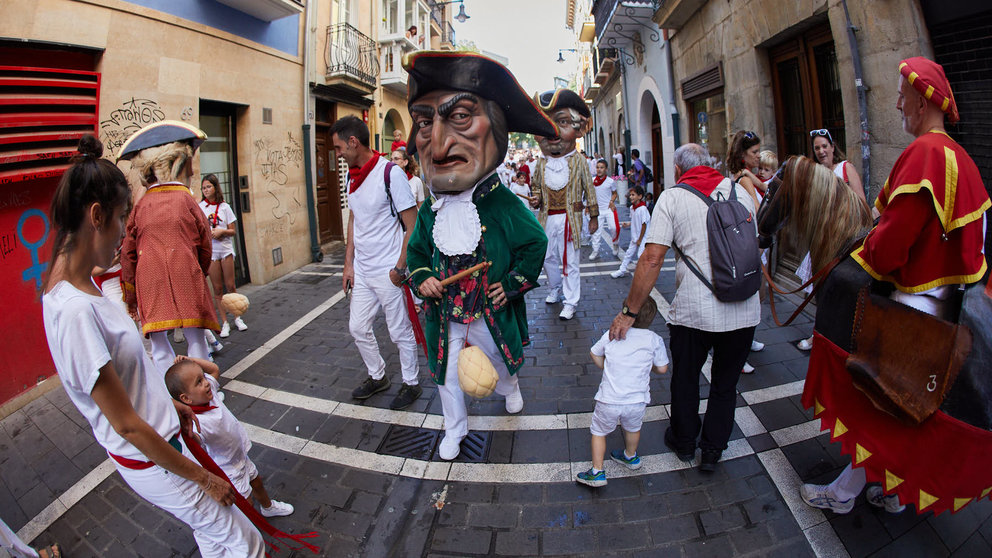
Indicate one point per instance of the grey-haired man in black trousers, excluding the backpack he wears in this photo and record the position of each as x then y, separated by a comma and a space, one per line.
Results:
697, 321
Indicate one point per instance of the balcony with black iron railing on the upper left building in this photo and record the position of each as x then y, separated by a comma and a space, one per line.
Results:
351, 58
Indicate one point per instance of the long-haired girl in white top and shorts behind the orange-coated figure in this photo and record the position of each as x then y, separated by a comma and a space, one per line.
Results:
221, 218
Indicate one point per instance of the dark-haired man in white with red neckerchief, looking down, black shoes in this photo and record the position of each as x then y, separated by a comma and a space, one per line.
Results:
381, 215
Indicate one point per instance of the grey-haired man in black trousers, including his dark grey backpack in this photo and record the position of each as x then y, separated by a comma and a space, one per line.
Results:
716, 301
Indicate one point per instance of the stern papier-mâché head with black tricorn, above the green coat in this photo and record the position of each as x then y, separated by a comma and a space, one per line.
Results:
464, 105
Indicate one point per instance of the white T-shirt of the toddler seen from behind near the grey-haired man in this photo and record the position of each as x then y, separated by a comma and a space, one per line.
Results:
629, 361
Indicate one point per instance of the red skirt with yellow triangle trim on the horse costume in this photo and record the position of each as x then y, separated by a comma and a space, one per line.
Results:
941, 464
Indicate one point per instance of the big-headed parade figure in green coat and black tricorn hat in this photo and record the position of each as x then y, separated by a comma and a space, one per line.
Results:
463, 106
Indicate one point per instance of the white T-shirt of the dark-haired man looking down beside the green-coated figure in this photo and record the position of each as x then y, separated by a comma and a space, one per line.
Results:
378, 235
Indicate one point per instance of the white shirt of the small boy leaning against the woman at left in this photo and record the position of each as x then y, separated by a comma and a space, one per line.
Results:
225, 440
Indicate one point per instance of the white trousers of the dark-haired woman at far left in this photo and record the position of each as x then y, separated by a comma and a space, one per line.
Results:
220, 531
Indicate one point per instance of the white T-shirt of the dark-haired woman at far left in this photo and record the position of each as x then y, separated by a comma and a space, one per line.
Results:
84, 333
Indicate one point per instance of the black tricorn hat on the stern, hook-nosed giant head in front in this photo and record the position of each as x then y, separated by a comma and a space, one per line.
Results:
431, 70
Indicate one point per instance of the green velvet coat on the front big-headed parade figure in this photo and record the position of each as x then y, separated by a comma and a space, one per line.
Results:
514, 242
